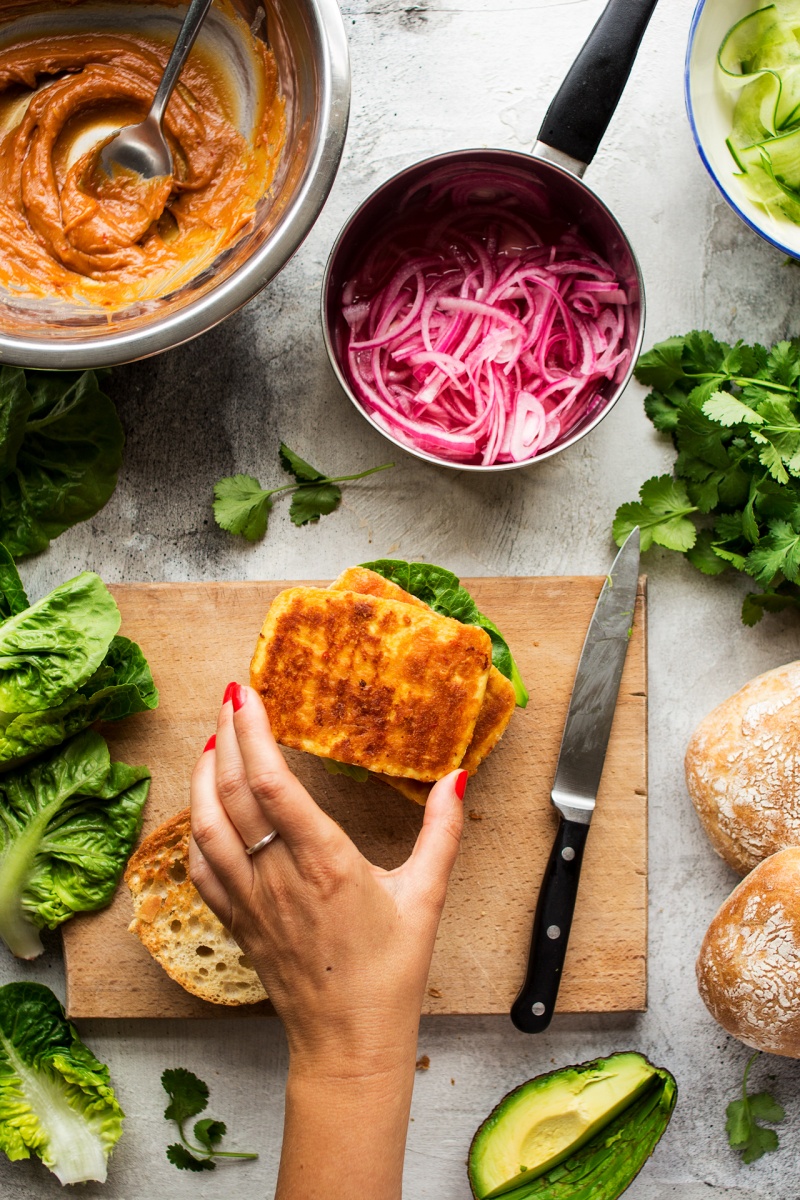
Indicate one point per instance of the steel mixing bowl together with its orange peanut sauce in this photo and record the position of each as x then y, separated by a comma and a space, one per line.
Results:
95, 272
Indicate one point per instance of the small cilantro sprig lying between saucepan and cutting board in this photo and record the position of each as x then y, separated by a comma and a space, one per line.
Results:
243, 507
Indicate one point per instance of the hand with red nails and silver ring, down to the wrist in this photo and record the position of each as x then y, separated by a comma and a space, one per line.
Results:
344, 947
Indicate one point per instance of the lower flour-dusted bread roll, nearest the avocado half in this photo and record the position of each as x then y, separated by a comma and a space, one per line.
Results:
749, 968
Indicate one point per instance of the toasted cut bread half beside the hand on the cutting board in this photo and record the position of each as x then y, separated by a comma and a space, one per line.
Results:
175, 923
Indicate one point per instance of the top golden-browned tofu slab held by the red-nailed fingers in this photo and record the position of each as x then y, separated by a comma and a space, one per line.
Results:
371, 682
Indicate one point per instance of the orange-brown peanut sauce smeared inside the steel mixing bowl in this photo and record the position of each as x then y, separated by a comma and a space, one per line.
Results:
67, 229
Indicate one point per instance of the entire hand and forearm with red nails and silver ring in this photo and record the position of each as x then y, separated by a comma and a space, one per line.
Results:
344, 950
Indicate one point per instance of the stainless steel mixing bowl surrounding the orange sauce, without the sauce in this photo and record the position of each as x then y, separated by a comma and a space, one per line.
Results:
310, 44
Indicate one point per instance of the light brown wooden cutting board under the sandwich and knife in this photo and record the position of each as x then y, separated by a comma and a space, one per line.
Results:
199, 637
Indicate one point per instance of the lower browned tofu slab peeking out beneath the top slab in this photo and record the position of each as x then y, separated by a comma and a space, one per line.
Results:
500, 699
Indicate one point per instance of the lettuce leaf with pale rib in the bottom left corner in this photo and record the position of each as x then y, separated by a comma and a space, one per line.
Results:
56, 1099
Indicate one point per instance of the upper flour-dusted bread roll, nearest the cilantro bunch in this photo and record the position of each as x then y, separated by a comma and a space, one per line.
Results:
743, 770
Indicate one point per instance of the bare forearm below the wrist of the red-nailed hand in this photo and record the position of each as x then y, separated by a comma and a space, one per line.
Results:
345, 1138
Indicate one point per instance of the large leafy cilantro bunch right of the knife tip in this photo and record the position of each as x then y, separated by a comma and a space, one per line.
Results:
733, 500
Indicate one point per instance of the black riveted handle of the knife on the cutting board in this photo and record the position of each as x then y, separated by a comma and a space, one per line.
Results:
533, 1009
